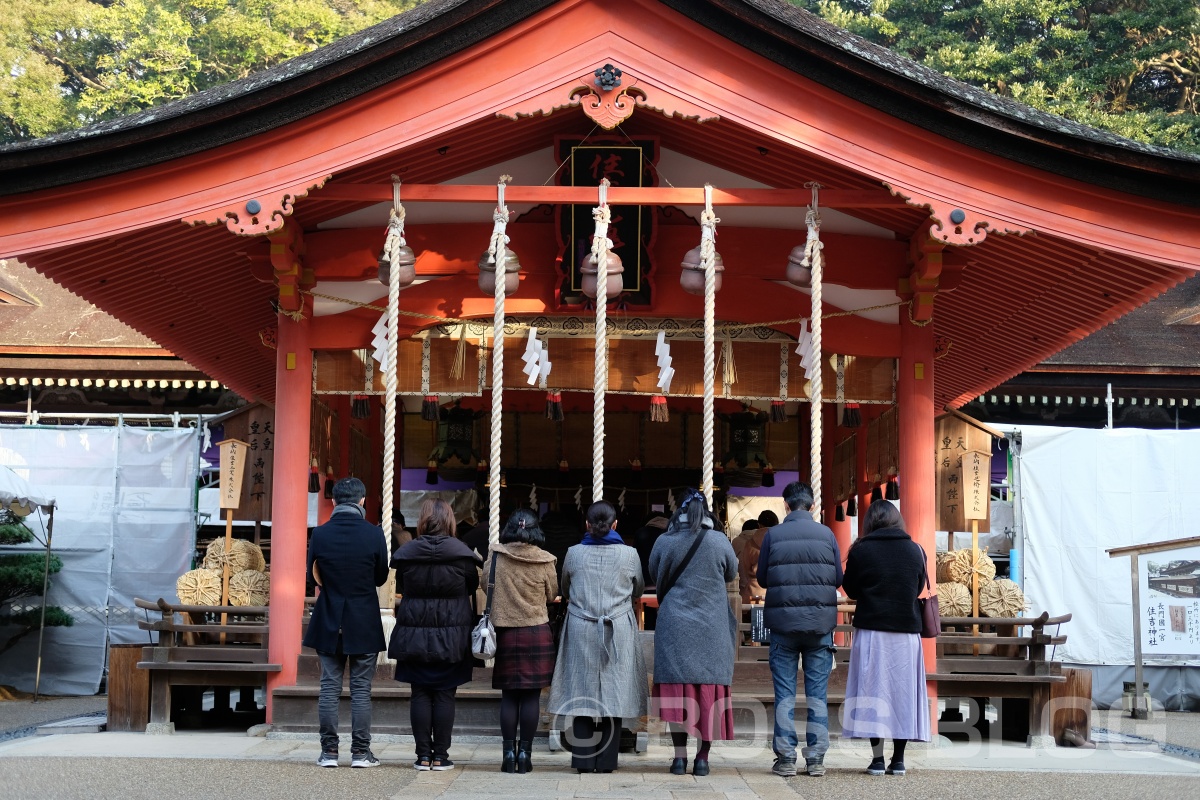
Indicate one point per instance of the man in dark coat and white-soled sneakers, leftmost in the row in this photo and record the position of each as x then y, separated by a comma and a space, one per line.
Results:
349, 560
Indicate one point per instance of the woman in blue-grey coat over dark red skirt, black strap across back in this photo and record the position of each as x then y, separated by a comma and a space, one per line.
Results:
695, 634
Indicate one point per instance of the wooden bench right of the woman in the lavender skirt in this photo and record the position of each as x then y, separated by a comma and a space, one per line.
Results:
1003, 664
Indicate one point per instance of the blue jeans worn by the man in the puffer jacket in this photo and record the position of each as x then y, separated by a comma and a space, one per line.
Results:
787, 652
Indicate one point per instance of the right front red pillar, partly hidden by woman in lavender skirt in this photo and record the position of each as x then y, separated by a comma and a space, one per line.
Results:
915, 399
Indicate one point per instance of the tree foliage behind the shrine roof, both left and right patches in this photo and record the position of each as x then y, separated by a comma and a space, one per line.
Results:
1130, 67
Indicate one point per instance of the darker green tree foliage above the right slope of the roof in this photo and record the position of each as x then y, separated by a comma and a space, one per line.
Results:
1127, 67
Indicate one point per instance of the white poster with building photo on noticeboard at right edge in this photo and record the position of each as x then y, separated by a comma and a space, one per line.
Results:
1171, 603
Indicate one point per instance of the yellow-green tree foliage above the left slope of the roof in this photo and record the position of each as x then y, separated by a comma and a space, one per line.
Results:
70, 63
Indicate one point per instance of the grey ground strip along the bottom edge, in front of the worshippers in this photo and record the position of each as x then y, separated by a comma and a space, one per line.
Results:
136, 779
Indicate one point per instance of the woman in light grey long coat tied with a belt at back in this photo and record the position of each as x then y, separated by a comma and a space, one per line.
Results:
601, 675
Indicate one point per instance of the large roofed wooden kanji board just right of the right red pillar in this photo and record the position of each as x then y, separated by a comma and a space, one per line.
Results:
959, 436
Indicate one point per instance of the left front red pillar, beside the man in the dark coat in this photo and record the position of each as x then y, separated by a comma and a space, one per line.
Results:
290, 502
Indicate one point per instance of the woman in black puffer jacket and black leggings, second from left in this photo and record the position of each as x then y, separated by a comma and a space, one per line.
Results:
436, 578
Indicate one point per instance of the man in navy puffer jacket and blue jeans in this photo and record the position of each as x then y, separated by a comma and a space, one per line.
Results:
801, 569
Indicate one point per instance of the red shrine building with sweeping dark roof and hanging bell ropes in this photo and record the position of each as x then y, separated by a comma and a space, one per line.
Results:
955, 239
